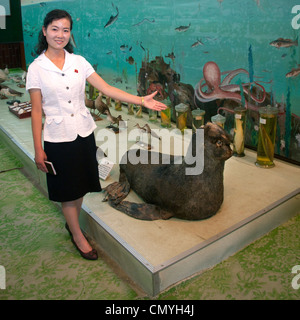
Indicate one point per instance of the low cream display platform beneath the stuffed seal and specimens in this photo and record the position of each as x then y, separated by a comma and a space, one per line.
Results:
158, 254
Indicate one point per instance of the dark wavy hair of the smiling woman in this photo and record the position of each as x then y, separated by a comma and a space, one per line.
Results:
51, 16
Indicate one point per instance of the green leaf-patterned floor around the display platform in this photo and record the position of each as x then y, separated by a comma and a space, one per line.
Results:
41, 262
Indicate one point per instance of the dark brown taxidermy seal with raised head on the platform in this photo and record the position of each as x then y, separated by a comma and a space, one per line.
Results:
166, 188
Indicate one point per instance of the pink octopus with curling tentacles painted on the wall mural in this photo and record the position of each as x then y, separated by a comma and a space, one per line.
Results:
217, 89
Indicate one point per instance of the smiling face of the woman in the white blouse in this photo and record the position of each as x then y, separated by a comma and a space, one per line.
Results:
58, 33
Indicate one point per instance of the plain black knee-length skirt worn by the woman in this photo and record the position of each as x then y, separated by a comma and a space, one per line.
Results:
76, 167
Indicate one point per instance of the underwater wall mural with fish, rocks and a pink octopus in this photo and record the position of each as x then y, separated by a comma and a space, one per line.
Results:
210, 54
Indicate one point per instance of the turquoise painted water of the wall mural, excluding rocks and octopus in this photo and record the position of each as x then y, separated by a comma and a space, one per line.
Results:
225, 30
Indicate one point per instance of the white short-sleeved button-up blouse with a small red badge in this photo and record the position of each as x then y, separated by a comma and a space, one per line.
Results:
63, 94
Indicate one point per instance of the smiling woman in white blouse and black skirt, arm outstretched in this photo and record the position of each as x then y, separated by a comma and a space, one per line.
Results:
56, 84
